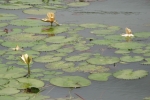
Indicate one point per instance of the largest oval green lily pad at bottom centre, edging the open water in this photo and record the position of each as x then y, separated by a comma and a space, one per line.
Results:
70, 81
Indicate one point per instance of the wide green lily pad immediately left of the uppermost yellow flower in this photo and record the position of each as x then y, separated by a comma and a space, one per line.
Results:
27, 22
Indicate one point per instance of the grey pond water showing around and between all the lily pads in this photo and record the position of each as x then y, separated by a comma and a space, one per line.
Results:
133, 14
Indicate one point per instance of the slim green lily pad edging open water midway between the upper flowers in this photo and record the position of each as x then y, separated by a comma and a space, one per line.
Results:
93, 25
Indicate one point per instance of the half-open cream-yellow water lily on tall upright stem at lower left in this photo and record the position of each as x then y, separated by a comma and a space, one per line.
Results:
27, 60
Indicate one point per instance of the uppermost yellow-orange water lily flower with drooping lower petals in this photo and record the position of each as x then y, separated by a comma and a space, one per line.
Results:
50, 18
